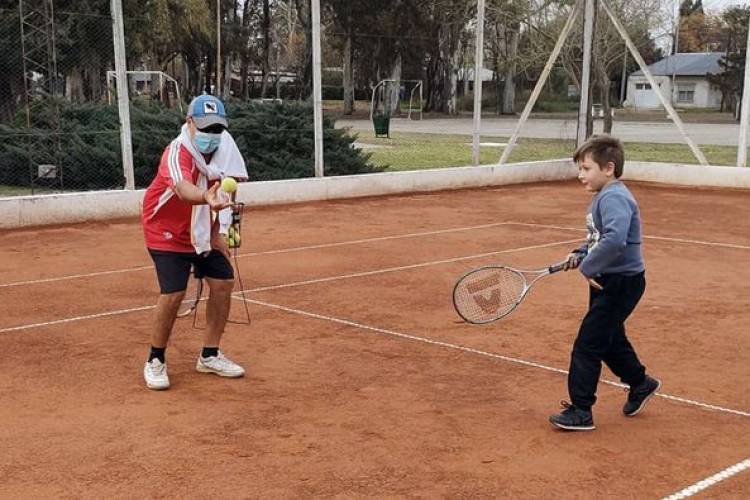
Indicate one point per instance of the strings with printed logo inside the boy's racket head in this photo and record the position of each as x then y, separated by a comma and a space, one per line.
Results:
489, 294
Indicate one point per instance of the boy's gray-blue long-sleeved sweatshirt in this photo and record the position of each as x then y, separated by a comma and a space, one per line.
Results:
613, 244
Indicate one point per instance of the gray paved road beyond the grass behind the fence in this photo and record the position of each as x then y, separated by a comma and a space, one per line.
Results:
720, 134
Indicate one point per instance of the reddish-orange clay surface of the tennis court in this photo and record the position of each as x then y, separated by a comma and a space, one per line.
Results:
362, 381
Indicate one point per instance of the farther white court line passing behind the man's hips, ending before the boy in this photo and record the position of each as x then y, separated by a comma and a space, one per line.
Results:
267, 252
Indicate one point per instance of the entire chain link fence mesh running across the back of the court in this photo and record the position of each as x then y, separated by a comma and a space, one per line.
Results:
398, 85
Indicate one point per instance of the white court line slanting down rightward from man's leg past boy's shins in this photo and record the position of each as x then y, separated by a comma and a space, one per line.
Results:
471, 350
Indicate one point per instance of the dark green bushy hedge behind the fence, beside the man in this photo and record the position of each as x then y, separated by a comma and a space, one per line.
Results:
276, 140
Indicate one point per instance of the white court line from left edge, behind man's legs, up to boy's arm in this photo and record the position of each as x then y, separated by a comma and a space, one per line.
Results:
287, 285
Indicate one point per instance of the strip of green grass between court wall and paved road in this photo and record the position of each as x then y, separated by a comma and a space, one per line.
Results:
414, 151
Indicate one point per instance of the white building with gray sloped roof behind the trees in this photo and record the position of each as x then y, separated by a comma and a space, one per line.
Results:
693, 89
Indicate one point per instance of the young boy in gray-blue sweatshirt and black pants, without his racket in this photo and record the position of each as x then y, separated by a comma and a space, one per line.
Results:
612, 262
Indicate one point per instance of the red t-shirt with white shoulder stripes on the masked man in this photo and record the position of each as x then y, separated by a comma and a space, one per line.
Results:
166, 222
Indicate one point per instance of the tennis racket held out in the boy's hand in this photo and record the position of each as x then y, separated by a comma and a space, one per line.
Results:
489, 293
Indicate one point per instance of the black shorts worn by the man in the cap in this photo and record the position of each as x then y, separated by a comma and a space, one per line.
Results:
173, 268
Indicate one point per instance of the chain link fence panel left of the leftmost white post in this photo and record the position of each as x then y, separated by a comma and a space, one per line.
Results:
56, 131
